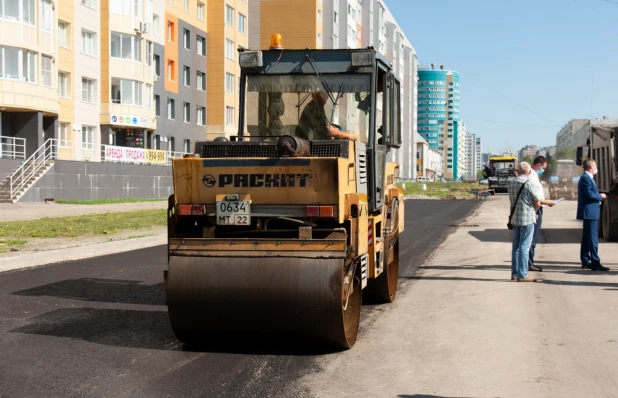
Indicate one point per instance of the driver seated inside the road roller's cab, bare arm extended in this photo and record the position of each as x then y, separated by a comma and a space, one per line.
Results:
313, 123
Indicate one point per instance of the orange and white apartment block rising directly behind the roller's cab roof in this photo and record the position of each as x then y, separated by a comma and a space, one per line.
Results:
346, 24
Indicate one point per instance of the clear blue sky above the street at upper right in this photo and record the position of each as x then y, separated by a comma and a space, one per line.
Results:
526, 67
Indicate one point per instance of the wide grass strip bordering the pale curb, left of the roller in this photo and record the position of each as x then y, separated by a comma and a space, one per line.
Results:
88, 225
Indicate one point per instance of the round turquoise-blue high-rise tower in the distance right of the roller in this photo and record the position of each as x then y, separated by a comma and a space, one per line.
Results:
438, 116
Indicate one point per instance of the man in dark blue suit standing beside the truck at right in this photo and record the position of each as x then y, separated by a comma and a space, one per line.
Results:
589, 209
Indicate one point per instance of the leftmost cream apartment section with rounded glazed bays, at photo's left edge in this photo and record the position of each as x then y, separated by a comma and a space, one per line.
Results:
29, 104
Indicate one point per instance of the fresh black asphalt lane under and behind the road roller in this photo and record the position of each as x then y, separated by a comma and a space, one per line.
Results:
99, 328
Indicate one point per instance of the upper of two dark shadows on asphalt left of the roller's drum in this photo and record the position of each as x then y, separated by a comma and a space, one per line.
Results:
101, 290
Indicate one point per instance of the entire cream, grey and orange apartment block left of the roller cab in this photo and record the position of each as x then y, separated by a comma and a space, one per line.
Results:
122, 73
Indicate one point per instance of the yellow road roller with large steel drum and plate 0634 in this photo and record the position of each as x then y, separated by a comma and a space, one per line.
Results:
286, 226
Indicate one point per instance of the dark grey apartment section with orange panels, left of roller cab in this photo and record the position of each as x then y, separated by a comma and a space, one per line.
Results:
179, 69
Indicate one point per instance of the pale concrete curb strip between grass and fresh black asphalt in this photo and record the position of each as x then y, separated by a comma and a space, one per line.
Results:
79, 253
